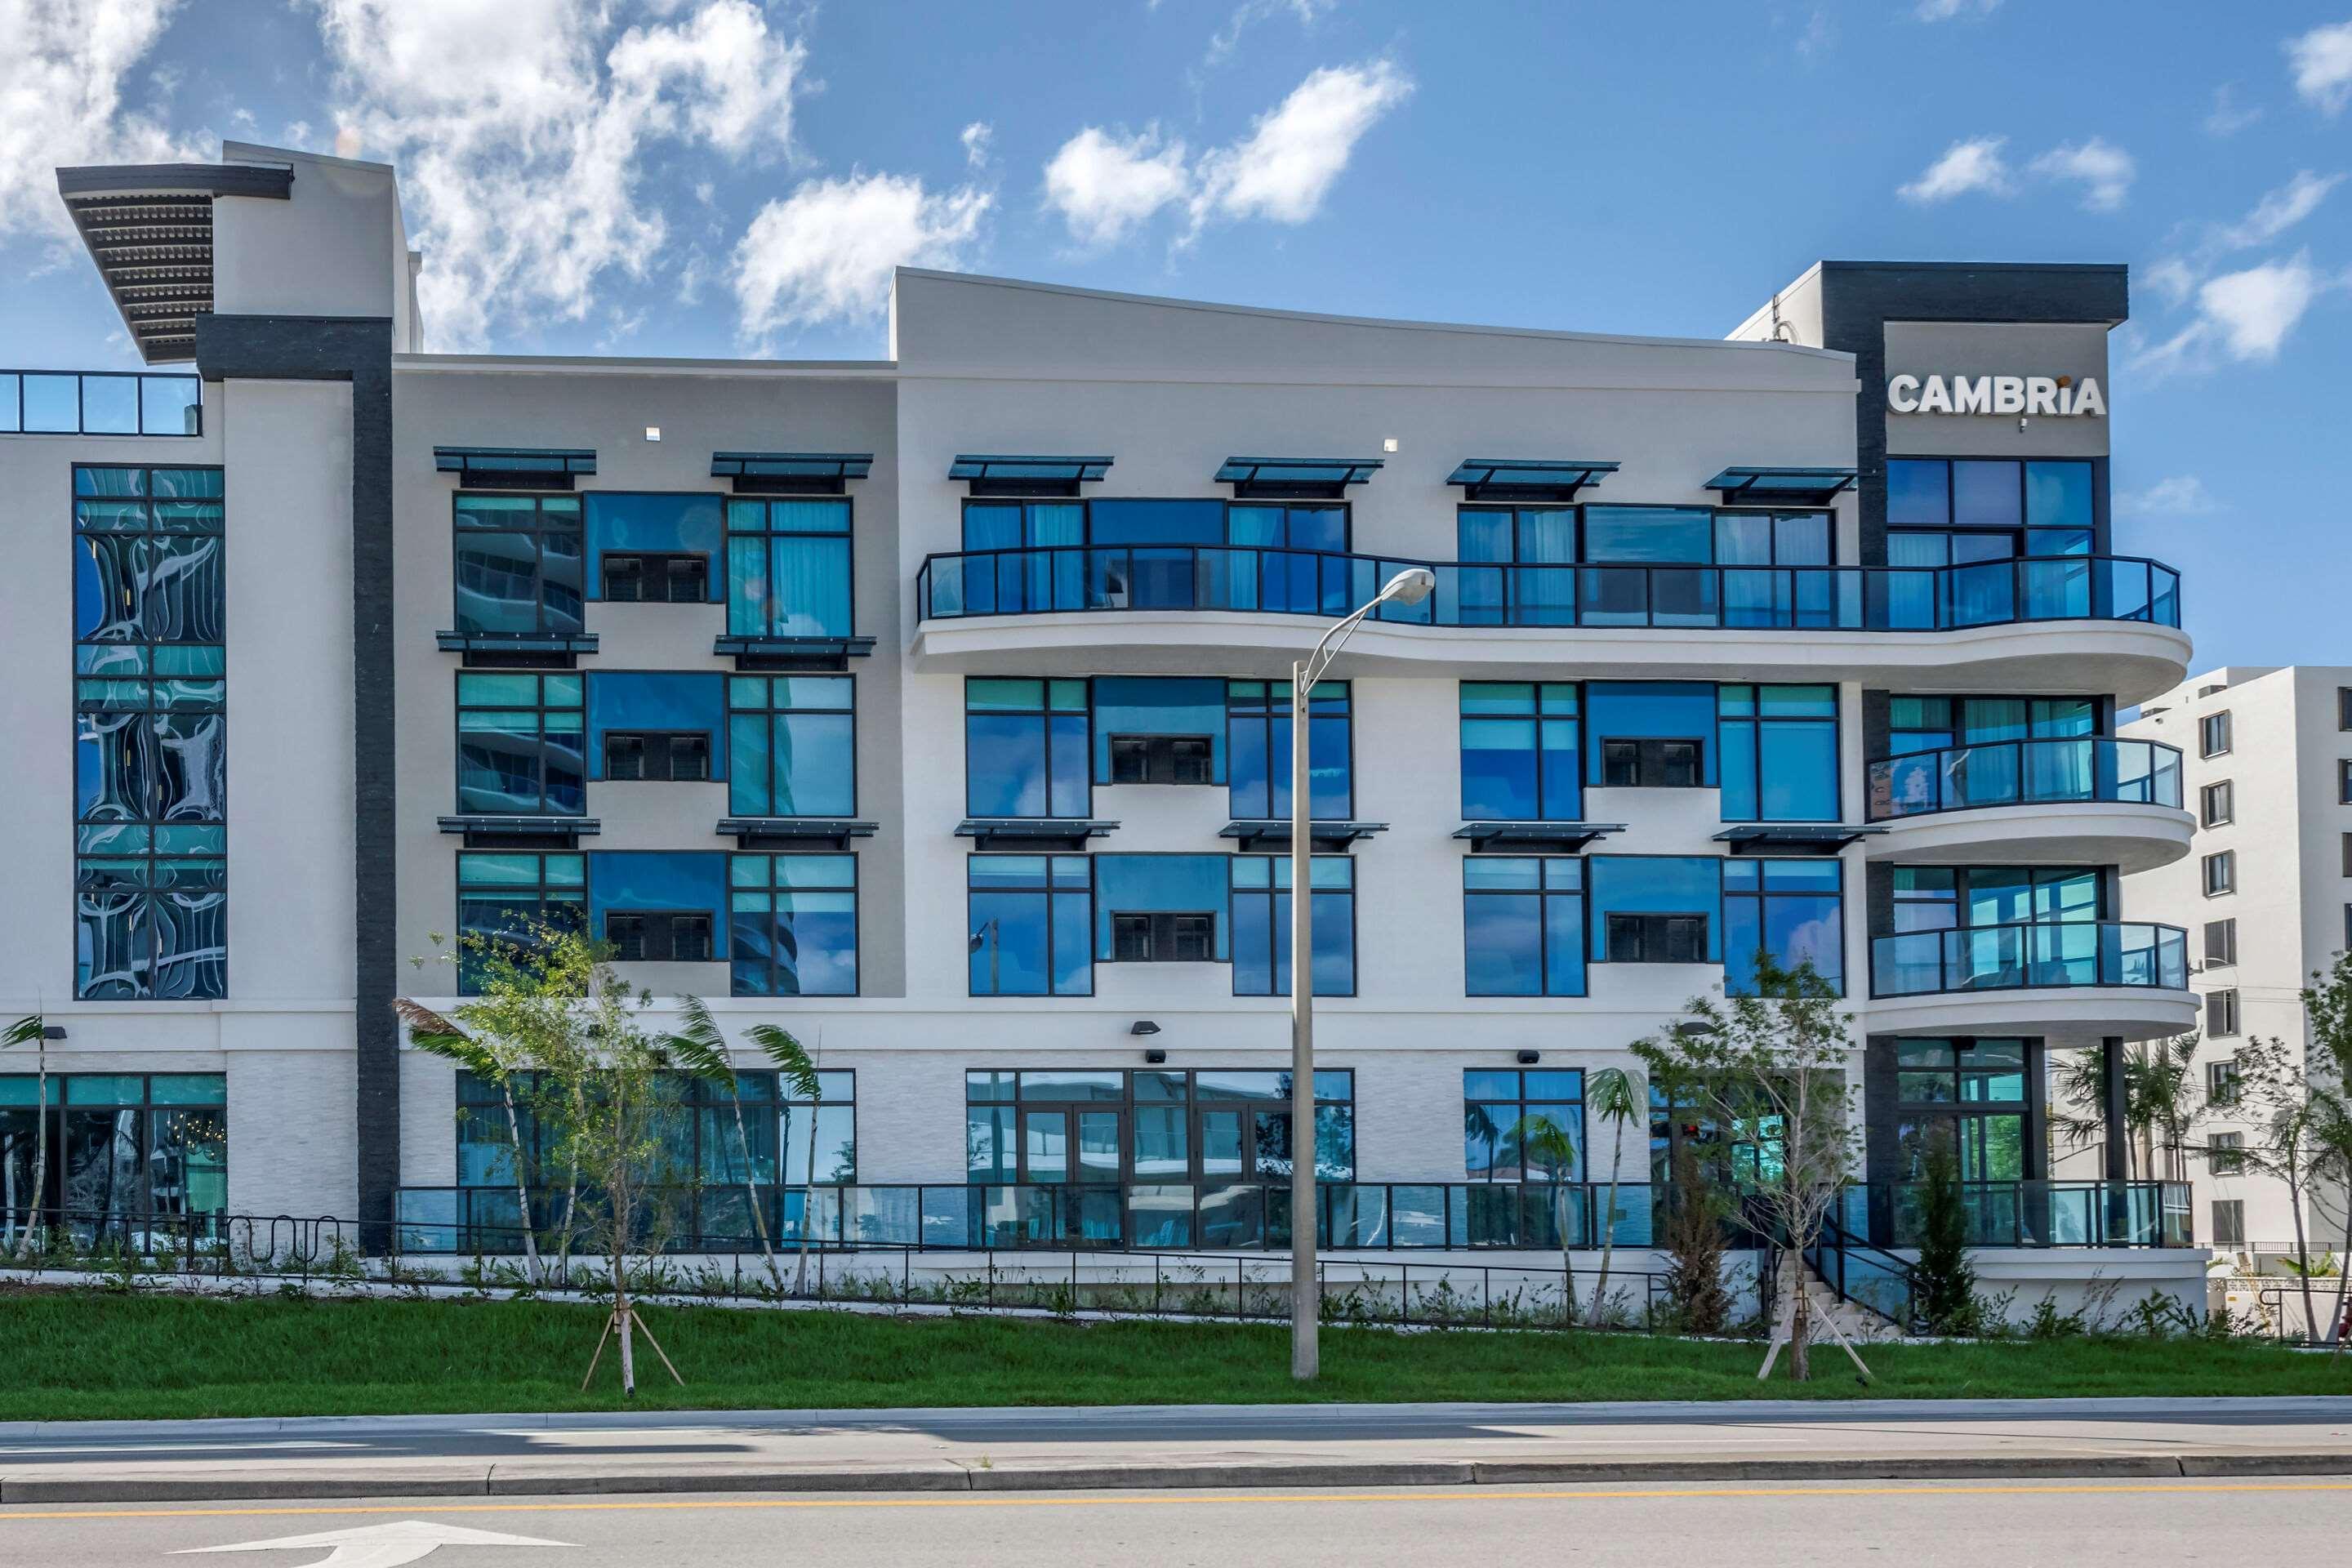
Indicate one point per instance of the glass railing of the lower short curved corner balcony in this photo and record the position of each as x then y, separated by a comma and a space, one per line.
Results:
2024, 958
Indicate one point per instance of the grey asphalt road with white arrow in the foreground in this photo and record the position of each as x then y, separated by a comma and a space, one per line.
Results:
1927, 1525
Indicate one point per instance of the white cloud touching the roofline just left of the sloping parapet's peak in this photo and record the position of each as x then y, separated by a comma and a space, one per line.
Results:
827, 253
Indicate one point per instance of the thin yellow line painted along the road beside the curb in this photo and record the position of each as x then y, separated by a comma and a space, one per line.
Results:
1483, 1494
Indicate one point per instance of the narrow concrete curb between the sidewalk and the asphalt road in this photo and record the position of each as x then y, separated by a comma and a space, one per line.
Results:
956, 1477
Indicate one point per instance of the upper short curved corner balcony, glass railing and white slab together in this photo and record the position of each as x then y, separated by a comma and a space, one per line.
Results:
2033, 803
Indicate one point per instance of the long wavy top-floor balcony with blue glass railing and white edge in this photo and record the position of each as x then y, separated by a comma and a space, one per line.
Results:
2078, 622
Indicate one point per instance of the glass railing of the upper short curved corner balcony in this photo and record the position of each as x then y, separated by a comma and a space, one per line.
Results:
2026, 775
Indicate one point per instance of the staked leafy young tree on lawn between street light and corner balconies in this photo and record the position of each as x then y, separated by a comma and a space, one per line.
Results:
1770, 1068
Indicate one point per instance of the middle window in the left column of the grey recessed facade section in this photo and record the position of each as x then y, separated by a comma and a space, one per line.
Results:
521, 744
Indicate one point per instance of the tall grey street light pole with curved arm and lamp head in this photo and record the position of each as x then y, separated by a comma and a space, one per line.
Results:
1410, 587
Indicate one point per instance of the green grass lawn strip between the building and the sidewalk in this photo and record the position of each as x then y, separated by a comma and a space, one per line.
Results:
83, 1355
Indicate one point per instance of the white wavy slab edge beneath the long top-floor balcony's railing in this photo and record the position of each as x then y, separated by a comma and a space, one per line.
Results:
2125, 659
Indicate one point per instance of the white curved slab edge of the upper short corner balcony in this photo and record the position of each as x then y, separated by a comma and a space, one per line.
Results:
2127, 836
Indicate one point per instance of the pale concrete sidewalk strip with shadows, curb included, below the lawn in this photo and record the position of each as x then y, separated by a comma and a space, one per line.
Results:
1180, 1447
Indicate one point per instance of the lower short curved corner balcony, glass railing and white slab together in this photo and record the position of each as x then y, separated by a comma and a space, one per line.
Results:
2071, 981
